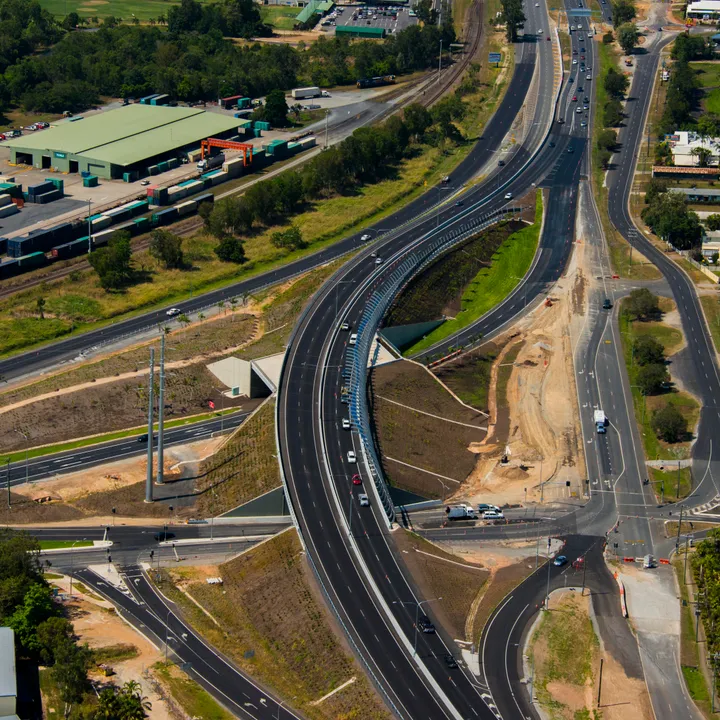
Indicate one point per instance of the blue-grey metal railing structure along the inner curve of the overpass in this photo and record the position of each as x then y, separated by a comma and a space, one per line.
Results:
377, 306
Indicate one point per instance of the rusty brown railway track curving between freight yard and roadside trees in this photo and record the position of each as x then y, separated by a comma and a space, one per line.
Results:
186, 228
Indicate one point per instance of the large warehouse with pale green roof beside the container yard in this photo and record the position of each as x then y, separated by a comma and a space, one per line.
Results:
115, 142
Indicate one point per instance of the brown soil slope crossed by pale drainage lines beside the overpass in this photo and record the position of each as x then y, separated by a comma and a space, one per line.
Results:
425, 442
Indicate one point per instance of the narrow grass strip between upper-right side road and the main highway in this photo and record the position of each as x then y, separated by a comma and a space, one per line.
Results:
623, 262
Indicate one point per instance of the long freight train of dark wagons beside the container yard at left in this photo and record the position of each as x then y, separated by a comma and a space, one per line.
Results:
43, 247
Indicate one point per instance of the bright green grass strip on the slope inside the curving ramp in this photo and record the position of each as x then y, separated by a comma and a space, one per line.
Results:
493, 284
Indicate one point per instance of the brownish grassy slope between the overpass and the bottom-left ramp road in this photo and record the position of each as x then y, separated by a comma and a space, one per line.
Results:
295, 653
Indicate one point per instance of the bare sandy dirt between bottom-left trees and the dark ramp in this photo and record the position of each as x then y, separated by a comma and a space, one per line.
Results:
100, 627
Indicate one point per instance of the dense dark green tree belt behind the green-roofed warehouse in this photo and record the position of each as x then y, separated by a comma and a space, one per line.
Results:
191, 59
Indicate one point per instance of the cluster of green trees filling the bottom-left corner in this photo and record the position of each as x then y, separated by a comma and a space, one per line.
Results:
44, 635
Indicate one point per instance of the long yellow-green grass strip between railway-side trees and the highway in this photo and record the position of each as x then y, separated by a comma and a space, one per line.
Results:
77, 303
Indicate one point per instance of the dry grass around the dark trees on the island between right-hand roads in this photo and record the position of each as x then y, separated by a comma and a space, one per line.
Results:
644, 406
